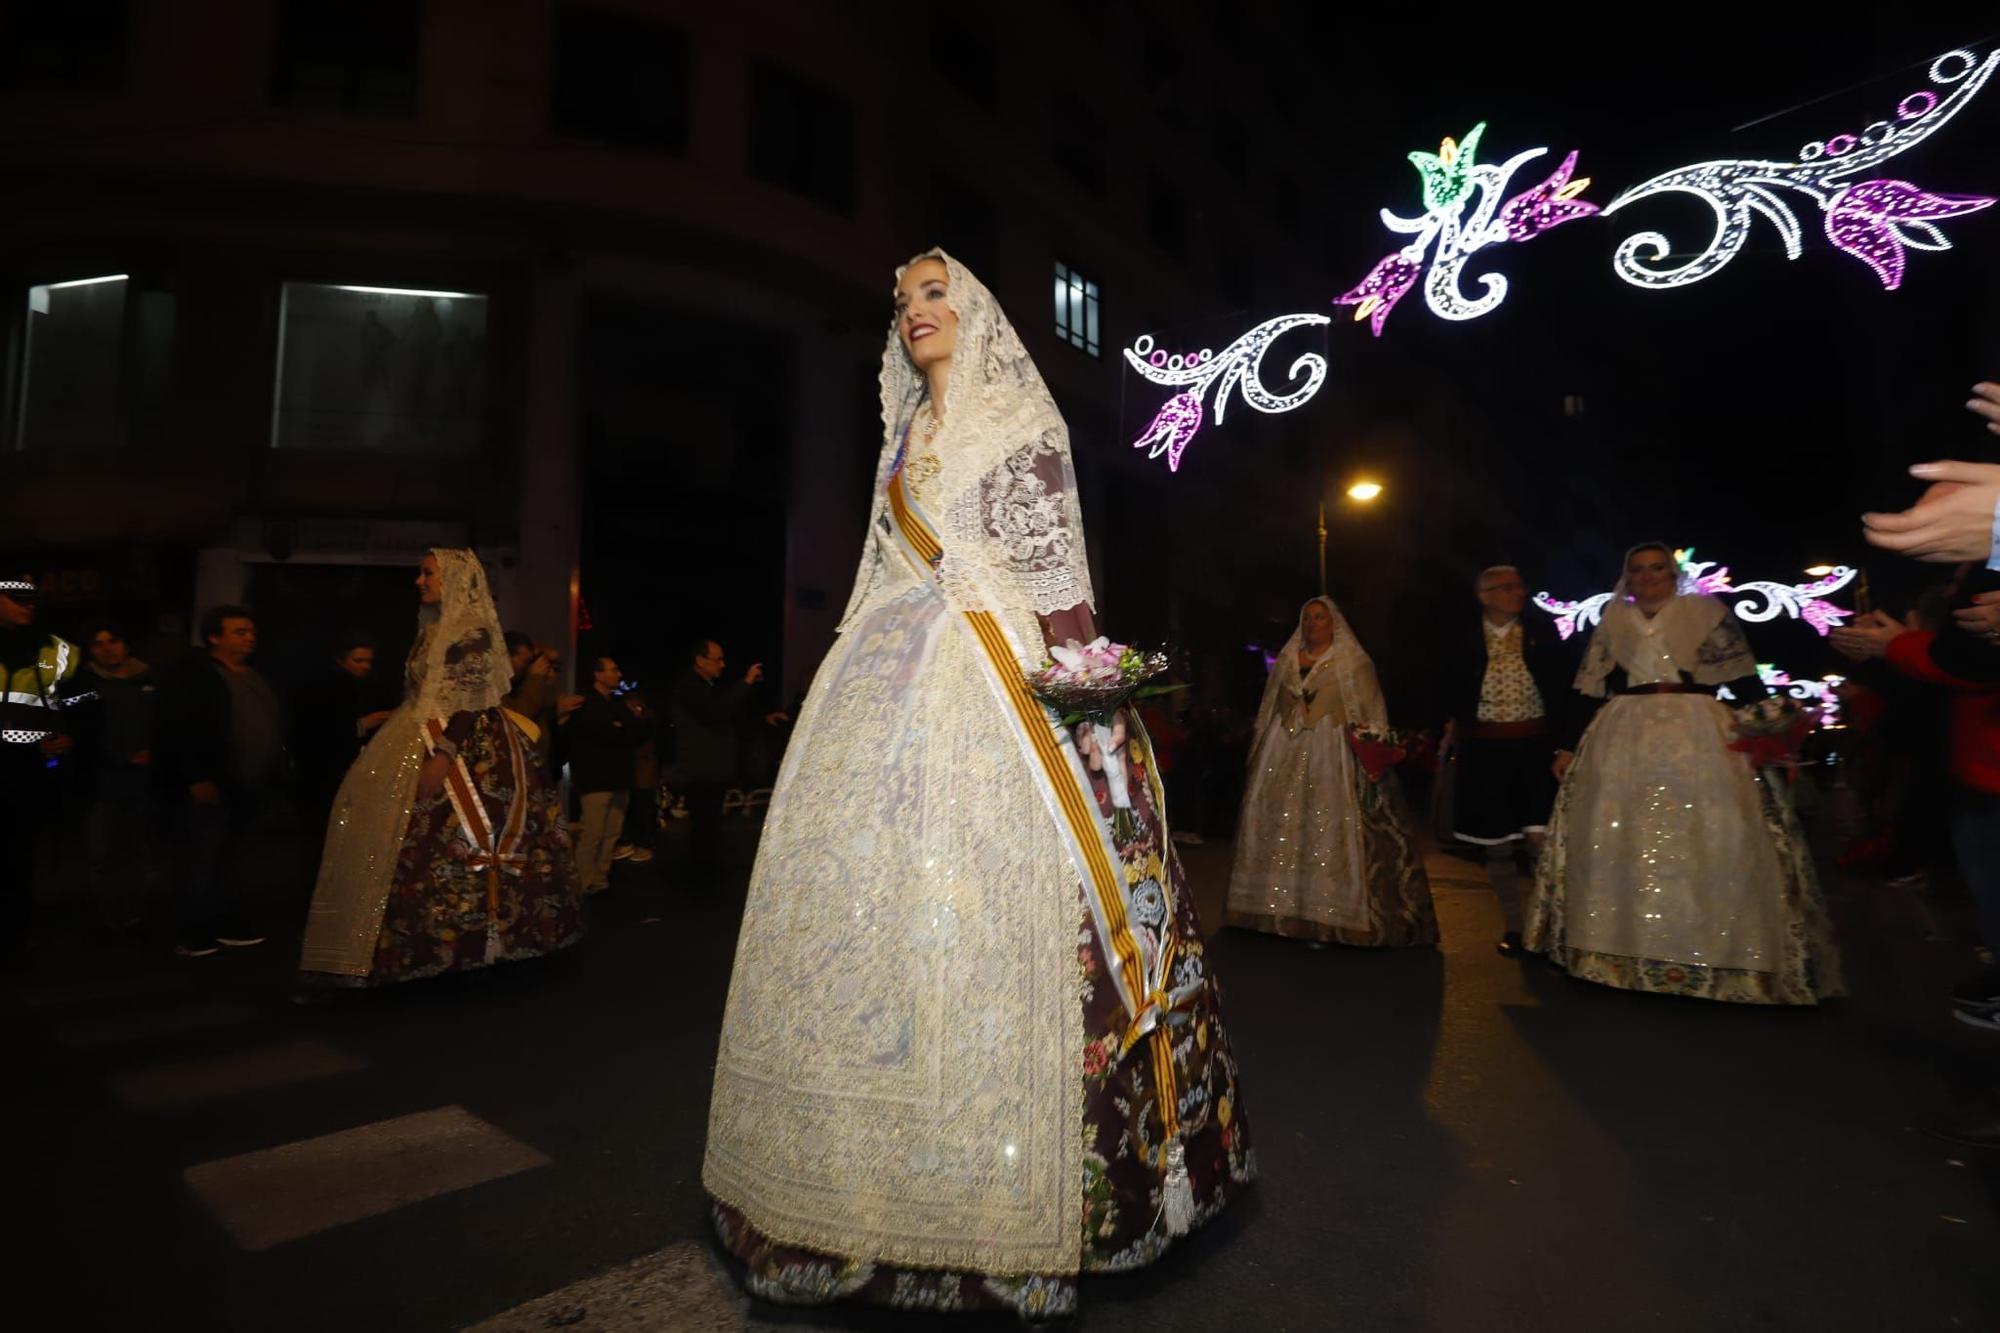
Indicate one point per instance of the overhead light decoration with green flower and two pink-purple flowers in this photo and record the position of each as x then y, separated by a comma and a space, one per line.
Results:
1449, 235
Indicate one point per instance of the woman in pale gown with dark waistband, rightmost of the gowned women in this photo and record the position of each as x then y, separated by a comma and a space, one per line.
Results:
1673, 864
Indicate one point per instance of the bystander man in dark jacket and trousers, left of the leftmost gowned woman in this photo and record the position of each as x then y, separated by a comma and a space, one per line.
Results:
221, 756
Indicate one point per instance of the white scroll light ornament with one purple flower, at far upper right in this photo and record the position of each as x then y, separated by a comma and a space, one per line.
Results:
1871, 219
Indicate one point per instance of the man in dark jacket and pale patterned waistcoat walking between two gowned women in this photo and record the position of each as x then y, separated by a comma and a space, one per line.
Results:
1509, 690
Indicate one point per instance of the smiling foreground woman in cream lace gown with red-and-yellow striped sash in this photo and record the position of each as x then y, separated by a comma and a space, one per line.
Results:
971, 1046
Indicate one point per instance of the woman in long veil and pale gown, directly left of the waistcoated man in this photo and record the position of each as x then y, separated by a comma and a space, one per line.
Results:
1325, 852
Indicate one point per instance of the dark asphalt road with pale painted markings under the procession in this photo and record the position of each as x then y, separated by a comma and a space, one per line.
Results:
1449, 1142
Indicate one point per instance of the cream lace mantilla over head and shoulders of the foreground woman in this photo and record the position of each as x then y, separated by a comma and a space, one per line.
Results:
1005, 495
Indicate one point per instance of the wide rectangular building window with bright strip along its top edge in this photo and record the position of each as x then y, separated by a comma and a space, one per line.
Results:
381, 369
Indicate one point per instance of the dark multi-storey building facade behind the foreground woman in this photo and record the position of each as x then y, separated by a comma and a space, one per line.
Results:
303, 287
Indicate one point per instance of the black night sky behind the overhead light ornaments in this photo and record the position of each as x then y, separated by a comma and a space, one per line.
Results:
1753, 415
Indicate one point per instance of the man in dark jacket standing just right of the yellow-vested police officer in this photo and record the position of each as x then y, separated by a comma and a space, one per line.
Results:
123, 758
